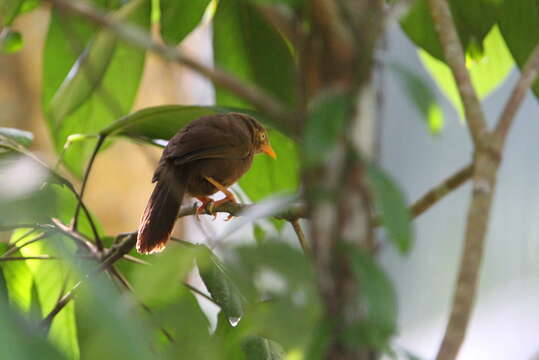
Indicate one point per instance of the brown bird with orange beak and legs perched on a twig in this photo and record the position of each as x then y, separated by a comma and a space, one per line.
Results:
206, 156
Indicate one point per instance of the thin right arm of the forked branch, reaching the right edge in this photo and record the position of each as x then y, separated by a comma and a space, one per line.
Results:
526, 80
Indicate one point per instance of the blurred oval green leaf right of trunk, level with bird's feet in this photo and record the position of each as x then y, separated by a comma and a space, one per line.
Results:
391, 204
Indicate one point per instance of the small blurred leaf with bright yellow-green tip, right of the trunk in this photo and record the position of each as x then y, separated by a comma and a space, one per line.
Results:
422, 95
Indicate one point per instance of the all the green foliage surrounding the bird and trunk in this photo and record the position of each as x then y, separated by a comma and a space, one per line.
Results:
267, 291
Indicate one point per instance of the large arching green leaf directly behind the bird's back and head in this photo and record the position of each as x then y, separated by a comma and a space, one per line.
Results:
266, 175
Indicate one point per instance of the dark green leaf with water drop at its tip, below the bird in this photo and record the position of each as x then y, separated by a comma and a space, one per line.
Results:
221, 288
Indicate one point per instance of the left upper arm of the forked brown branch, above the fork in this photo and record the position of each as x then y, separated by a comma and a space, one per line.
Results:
454, 57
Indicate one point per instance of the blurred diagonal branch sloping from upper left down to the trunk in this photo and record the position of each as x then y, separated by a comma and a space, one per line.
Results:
218, 77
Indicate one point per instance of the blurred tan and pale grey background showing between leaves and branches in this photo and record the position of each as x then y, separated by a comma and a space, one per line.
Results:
506, 317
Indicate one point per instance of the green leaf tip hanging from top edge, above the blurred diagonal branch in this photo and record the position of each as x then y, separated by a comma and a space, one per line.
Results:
180, 17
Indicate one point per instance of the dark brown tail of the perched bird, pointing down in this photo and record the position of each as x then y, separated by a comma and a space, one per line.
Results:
160, 214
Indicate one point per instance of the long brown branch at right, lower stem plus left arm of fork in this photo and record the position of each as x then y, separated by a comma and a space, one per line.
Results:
486, 164
